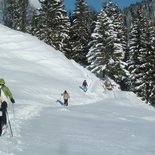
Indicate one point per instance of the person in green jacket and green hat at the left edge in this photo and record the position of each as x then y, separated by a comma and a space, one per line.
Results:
5, 95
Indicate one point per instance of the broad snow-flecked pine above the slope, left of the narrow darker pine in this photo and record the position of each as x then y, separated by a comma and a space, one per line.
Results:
51, 23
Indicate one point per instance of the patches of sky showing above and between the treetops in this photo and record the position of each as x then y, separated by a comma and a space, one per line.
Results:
96, 4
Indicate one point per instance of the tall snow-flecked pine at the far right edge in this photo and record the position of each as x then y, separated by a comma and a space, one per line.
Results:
141, 54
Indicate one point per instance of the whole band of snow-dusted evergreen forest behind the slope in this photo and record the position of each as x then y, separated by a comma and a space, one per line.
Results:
100, 41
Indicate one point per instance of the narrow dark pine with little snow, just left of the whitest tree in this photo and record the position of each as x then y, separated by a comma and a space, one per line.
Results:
81, 31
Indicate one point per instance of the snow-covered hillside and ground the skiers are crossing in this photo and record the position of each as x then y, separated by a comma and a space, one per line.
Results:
97, 122
